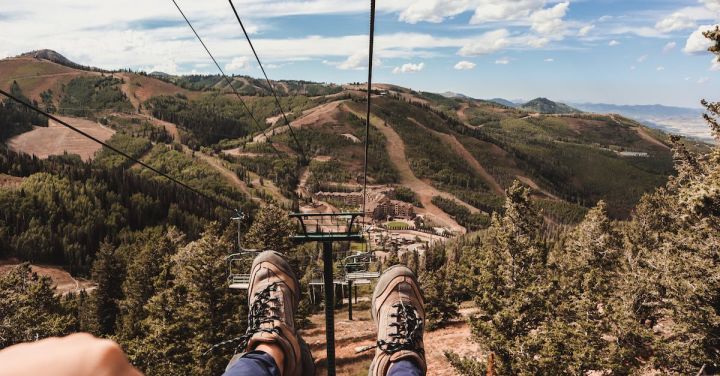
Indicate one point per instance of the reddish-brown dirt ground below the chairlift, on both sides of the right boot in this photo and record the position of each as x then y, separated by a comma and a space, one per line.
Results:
350, 335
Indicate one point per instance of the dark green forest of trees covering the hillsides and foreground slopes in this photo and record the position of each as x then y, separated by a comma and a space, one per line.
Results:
626, 286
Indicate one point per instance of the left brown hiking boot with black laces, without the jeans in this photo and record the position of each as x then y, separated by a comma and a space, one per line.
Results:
273, 297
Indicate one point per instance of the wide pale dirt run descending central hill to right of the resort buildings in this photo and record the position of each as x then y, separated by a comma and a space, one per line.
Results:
396, 150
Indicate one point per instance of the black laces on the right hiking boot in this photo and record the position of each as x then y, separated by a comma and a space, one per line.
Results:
408, 331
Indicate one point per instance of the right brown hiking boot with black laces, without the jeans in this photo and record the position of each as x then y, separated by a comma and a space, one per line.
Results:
399, 313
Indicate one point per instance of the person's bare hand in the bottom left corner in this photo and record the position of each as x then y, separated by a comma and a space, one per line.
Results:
74, 355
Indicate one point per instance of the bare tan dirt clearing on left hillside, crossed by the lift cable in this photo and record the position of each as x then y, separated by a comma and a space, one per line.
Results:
56, 139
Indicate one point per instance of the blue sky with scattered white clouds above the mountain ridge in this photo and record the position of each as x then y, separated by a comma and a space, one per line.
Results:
612, 51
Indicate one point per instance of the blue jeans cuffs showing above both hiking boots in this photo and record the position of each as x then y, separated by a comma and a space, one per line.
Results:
259, 363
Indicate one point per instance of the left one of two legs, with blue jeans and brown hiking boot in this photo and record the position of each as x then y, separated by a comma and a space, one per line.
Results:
272, 344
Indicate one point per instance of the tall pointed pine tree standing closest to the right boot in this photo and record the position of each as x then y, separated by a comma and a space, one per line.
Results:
512, 284
